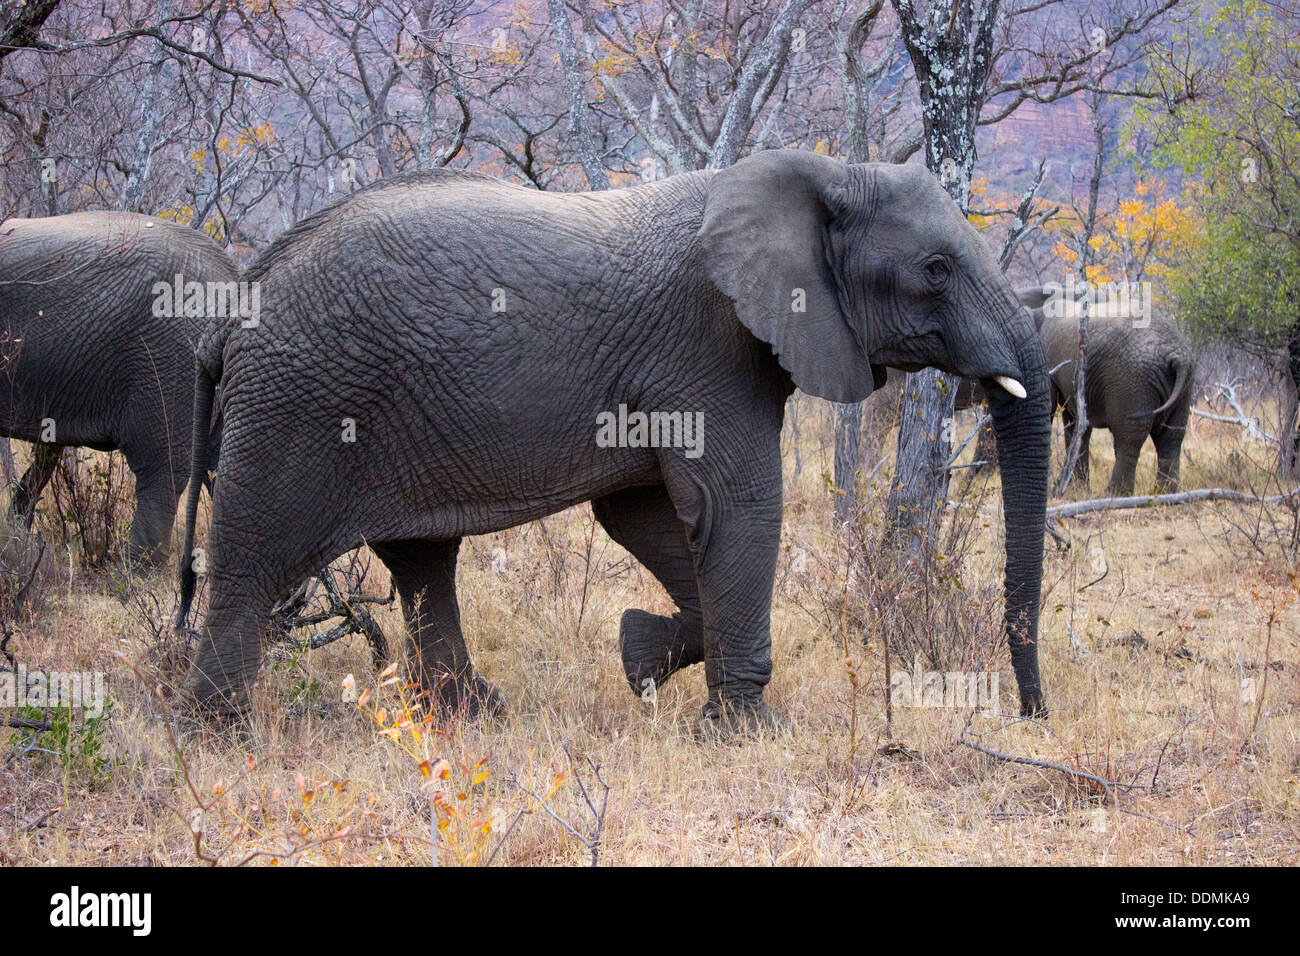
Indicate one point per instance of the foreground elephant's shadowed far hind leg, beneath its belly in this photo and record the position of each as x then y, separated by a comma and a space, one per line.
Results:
424, 574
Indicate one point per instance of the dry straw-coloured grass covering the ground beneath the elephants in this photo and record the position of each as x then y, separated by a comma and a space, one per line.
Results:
1210, 776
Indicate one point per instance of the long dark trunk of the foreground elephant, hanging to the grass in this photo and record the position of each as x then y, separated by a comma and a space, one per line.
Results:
1024, 430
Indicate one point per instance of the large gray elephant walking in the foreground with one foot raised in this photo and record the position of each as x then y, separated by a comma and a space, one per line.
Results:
677, 296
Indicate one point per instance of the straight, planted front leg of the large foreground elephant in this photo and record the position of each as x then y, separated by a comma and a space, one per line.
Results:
734, 526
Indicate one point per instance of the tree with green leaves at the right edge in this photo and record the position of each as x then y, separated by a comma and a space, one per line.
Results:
1230, 120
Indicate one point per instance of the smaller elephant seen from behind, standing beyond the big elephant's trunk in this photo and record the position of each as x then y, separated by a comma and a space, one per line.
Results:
1138, 384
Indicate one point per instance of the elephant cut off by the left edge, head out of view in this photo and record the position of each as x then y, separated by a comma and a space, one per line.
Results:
84, 349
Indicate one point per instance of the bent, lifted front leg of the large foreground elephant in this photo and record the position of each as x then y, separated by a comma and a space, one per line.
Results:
656, 647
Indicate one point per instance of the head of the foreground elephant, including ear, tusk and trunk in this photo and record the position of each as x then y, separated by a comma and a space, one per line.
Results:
847, 270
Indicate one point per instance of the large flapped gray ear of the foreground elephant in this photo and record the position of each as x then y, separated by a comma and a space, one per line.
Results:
766, 237
